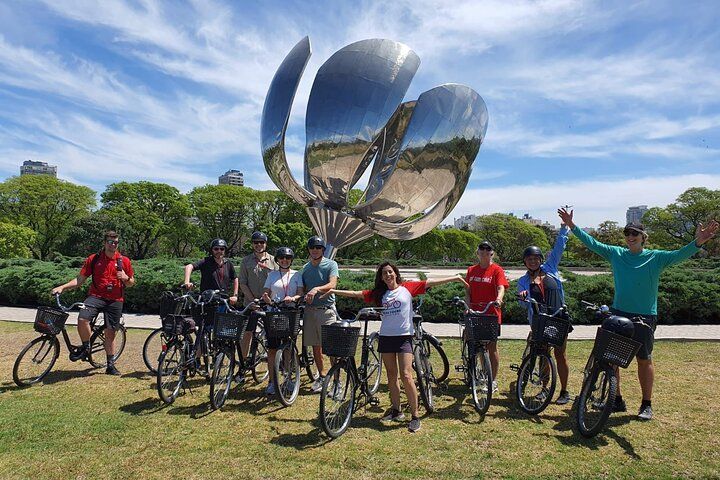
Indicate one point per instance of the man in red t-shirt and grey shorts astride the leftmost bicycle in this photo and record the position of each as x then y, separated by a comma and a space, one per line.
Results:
111, 273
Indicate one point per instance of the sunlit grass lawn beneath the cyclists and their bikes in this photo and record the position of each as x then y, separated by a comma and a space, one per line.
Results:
83, 424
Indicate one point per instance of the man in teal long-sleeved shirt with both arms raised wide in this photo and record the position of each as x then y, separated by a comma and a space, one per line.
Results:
636, 274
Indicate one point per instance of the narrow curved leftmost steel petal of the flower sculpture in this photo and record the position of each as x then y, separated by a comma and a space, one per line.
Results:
276, 113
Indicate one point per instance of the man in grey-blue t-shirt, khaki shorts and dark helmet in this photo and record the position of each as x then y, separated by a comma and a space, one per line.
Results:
319, 275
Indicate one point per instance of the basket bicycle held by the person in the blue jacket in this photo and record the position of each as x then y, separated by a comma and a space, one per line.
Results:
537, 373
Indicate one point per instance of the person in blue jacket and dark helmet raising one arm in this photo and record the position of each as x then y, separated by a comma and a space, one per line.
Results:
542, 283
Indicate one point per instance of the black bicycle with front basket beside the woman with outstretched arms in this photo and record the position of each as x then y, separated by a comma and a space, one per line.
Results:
348, 386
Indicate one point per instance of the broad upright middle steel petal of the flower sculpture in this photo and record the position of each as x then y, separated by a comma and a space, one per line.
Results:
353, 96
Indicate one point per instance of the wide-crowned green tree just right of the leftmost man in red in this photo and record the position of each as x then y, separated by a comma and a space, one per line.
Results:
143, 212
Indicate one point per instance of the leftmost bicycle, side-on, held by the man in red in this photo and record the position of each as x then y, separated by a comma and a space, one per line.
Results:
30, 365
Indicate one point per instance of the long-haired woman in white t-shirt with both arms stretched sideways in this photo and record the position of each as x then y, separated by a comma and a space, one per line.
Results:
396, 332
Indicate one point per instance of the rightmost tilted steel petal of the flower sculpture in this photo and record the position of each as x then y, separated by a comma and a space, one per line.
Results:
444, 134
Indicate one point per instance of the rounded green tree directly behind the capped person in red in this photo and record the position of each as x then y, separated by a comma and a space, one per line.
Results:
509, 235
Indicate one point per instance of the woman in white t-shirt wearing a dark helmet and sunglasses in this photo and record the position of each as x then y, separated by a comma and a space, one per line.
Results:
283, 285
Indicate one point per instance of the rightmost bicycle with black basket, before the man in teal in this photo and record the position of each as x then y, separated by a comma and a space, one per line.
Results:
610, 351
